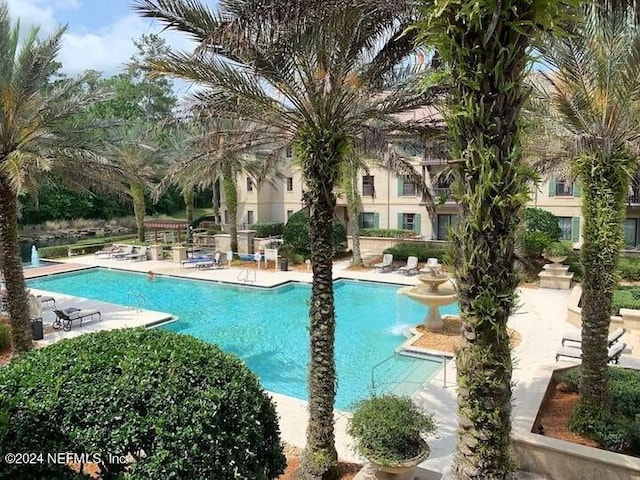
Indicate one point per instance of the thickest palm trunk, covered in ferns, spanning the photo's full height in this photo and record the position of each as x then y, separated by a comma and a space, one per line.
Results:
485, 45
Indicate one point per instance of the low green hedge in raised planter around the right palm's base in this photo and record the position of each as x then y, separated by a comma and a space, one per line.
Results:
617, 429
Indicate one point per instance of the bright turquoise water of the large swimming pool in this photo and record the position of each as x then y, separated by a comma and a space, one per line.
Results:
268, 328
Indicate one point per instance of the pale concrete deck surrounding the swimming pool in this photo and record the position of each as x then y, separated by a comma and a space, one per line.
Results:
540, 320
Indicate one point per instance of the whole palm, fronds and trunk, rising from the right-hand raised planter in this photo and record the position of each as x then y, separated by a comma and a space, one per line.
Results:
594, 86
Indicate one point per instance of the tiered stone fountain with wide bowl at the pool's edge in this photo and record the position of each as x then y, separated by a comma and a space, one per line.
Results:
432, 294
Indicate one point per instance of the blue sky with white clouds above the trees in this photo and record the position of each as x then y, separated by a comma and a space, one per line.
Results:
99, 32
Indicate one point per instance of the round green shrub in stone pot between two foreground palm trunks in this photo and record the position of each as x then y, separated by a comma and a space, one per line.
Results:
389, 431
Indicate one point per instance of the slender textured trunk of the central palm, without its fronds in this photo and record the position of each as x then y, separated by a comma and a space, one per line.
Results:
319, 461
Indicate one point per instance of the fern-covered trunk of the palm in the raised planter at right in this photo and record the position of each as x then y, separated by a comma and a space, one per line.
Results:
605, 189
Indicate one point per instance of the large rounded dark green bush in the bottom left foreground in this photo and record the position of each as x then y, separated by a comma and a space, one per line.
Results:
193, 410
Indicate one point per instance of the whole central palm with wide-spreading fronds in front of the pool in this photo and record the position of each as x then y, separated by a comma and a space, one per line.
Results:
316, 72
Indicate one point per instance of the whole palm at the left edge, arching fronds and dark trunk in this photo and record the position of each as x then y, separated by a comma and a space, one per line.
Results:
40, 138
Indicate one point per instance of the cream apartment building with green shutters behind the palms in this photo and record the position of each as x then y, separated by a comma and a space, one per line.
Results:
389, 201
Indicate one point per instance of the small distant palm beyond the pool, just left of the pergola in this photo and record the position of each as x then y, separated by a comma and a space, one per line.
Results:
134, 148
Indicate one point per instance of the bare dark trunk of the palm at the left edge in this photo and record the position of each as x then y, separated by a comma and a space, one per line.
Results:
21, 335
